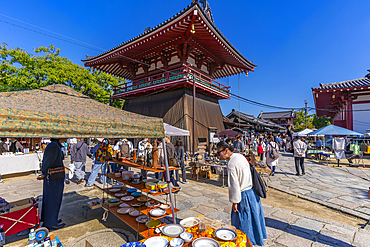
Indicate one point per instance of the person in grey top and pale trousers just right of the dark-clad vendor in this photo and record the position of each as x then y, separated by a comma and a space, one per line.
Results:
79, 152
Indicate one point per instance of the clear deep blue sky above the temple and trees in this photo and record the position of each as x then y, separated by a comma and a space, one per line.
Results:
296, 44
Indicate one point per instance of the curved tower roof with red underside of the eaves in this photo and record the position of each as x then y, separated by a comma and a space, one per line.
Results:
206, 38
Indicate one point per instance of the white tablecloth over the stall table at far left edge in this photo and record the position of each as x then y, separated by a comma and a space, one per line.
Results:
20, 163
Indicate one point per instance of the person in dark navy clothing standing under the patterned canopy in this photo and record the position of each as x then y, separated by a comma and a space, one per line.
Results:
52, 189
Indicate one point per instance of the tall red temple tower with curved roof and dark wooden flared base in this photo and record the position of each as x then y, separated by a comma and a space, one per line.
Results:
173, 66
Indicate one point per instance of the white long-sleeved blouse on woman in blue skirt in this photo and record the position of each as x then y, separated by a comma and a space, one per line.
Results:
239, 177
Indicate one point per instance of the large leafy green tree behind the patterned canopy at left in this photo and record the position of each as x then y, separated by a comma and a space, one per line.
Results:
21, 70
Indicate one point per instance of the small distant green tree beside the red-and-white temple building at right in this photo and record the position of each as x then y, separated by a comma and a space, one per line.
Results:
312, 121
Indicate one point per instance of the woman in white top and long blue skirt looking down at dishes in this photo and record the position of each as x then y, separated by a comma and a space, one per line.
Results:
247, 213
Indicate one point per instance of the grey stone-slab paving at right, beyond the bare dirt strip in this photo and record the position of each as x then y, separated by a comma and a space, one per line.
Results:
343, 189
